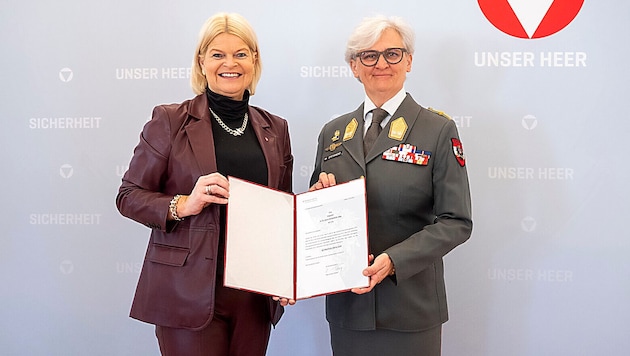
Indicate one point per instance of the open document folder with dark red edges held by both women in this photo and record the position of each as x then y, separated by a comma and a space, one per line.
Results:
296, 246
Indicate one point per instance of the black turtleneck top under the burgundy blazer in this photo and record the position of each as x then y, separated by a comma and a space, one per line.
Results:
237, 156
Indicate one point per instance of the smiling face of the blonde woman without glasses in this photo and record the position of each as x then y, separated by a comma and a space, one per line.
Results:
228, 66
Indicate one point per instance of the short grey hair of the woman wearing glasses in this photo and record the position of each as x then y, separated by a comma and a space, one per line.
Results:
370, 30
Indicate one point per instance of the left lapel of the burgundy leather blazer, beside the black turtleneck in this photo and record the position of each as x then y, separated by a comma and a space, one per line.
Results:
199, 132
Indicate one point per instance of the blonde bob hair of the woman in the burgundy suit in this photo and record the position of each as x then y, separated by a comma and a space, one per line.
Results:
233, 24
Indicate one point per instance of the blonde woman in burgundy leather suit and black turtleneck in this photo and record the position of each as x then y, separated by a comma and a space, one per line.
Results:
176, 185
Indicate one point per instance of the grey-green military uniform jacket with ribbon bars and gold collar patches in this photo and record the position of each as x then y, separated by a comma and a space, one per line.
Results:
419, 209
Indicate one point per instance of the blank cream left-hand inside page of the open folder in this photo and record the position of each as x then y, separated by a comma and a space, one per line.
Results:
259, 251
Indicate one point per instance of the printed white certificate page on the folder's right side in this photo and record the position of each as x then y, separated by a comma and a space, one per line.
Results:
332, 239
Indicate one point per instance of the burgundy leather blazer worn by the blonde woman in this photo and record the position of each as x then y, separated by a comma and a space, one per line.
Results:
177, 280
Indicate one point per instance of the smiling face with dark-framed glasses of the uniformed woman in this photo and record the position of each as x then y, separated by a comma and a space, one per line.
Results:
383, 80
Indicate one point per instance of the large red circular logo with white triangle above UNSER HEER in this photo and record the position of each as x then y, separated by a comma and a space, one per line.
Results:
530, 18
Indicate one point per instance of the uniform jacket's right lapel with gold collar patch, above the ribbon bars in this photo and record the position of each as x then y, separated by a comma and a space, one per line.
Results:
408, 111
